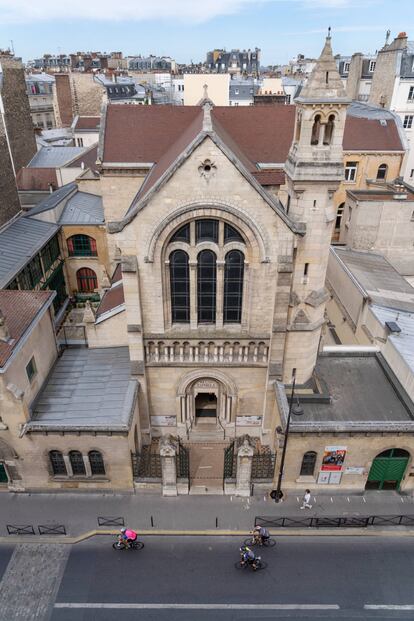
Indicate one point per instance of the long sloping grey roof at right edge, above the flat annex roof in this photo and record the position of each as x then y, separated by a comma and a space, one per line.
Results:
377, 278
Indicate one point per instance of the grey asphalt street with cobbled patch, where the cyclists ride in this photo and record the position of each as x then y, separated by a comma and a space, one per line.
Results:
194, 578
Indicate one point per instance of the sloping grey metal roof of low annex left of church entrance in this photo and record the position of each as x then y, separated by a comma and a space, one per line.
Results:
88, 390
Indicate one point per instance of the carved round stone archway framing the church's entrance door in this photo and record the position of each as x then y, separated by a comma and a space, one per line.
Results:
206, 382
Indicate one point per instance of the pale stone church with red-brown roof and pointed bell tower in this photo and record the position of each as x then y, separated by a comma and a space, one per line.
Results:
218, 295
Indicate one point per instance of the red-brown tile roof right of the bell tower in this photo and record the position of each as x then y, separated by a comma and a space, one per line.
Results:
369, 135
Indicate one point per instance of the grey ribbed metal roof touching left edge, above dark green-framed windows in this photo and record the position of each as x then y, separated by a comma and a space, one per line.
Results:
19, 242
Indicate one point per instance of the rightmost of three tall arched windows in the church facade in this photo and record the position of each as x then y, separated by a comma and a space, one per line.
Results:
233, 287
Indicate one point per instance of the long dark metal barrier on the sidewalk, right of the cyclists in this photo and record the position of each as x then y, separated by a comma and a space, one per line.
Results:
334, 522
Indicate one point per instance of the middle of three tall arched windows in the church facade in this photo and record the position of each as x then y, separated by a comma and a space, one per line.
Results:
206, 286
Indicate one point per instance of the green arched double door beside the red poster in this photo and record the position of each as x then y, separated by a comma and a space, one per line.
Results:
388, 469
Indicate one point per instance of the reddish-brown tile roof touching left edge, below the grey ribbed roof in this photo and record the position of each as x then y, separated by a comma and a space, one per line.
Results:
19, 308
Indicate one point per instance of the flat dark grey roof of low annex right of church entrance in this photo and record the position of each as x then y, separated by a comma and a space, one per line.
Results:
360, 393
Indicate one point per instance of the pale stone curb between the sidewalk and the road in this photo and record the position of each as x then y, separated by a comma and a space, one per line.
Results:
285, 532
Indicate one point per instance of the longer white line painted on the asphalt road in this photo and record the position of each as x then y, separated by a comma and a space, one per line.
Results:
134, 606
